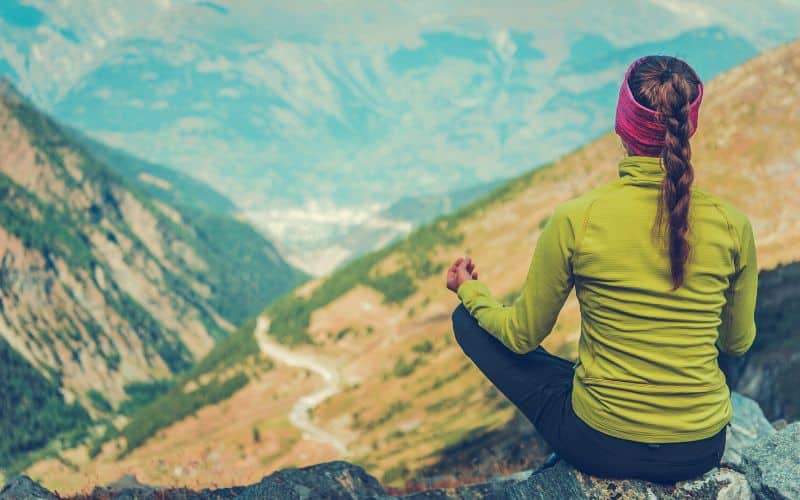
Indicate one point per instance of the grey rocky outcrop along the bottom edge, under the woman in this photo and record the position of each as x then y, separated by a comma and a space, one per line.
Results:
759, 463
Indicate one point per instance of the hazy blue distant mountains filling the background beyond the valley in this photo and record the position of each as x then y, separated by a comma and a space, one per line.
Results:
293, 116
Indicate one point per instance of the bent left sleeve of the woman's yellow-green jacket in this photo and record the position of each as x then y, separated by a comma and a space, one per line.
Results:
523, 325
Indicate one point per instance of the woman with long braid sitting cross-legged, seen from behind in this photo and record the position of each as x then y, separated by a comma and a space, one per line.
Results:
666, 277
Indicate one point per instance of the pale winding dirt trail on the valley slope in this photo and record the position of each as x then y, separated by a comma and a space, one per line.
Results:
300, 414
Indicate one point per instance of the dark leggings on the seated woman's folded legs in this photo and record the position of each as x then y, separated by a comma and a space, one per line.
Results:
540, 385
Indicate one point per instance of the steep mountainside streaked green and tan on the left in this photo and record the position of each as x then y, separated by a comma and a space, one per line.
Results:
102, 286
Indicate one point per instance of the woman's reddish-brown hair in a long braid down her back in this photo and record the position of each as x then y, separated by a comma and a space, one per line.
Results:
669, 85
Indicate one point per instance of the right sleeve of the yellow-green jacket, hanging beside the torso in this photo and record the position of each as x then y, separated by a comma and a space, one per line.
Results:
738, 328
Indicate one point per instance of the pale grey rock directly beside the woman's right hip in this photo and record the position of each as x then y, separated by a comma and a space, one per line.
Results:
748, 427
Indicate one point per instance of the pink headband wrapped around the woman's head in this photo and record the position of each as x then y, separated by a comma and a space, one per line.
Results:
639, 126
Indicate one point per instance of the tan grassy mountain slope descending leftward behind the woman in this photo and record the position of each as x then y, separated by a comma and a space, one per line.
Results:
403, 391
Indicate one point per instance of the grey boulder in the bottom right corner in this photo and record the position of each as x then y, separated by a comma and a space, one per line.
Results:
772, 467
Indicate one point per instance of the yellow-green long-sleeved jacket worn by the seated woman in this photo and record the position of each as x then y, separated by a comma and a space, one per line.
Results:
647, 357
